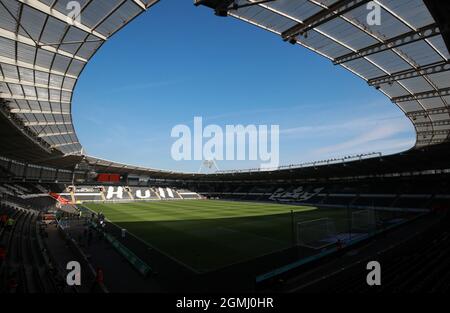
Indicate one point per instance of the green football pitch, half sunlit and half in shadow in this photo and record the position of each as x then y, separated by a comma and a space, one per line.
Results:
209, 234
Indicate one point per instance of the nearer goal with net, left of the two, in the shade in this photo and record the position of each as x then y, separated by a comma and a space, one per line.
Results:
316, 234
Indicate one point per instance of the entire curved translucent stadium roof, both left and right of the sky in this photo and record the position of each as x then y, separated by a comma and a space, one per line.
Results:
43, 52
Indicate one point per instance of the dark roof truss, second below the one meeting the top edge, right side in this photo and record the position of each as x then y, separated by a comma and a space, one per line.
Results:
407, 38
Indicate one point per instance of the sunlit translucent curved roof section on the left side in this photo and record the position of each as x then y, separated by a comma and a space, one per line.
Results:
42, 53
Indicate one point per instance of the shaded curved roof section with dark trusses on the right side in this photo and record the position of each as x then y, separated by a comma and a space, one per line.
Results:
405, 56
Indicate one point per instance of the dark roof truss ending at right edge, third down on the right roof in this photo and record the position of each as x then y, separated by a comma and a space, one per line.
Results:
429, 69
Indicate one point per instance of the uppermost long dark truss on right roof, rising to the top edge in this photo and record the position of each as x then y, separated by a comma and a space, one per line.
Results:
323, 16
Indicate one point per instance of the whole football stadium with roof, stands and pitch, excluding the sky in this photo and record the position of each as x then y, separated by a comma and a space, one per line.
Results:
74, 223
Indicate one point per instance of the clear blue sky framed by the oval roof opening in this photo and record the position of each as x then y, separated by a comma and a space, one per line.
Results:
177, 61
